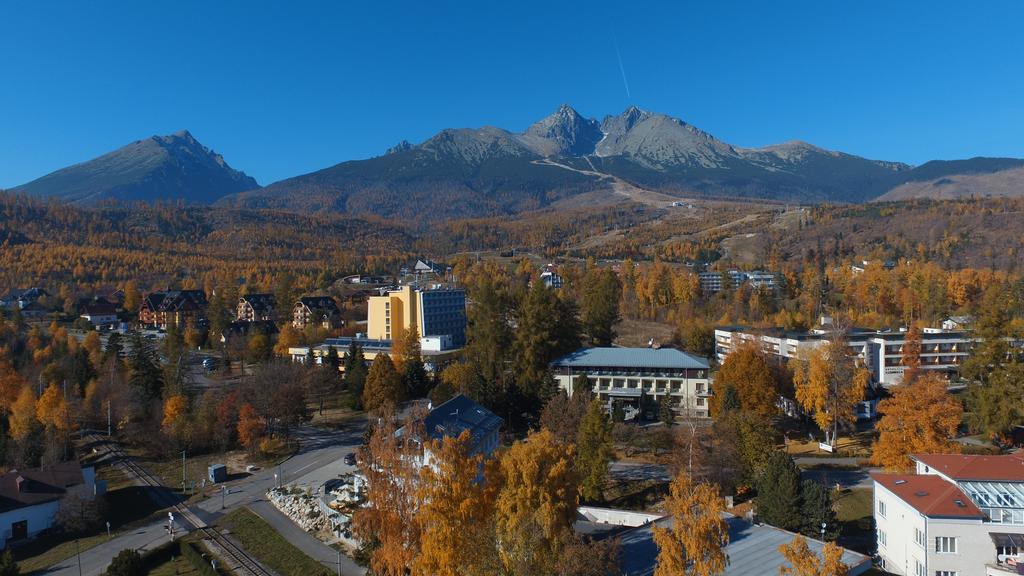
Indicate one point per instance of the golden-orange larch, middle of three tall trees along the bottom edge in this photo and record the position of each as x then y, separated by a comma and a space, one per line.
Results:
457, 513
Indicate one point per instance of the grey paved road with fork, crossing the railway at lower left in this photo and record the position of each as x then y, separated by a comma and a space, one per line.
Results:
318, 448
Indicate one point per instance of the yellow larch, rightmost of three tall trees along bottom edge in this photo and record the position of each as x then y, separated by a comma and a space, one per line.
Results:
537, 505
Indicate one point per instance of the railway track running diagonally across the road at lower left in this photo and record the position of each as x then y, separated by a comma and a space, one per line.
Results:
246, 565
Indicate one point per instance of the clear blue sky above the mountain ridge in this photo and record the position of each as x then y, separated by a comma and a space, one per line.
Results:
285, 89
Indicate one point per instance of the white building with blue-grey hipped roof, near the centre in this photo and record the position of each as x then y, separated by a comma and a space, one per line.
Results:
628, 376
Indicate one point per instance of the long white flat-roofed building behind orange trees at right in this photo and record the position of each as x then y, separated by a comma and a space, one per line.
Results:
880, 351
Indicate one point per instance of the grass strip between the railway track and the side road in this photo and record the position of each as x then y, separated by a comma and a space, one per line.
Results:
260, 540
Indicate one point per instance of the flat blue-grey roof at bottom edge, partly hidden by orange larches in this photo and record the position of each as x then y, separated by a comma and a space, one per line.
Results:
752, 550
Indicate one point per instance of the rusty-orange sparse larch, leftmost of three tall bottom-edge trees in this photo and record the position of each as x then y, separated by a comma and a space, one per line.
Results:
393, 468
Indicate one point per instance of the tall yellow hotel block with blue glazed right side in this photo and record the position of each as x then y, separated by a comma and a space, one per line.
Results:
438, 312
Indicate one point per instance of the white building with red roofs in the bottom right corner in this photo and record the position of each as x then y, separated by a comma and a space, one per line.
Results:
958, 516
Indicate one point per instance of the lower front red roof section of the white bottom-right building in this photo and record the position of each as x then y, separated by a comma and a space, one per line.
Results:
930, 496
